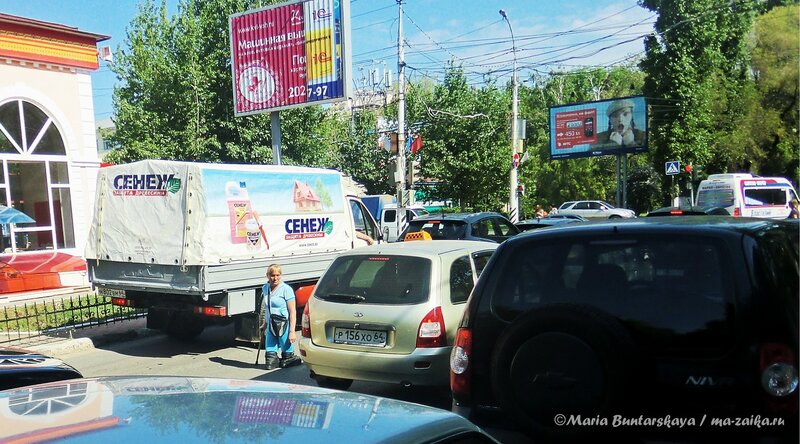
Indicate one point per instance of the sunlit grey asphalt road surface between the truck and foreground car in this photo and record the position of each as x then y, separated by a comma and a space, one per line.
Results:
215, 354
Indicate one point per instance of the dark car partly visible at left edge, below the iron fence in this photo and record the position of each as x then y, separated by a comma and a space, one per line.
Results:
20, 367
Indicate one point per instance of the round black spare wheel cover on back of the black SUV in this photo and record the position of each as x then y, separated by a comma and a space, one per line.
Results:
562, 359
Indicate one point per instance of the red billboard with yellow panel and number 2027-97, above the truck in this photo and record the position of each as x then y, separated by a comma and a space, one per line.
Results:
290, 55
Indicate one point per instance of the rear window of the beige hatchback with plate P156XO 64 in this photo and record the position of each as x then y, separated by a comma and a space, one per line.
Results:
376, 279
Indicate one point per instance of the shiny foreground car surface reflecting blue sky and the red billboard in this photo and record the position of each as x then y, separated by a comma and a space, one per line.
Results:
179, 410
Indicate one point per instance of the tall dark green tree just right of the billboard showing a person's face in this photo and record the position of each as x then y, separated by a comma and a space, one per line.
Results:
696, 64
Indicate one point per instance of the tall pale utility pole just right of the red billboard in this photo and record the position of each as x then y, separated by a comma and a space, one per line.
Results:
400, 175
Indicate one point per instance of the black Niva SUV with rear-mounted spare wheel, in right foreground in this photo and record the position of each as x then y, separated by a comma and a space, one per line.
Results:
636, 326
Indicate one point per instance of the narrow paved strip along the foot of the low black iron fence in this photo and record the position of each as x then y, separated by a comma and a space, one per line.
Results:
86, 338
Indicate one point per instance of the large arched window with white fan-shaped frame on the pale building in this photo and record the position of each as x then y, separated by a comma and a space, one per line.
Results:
34, 179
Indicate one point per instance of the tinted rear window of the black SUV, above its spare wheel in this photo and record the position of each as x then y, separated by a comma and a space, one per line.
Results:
667, 289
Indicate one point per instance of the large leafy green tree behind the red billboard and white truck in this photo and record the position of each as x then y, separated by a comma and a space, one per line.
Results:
176, 99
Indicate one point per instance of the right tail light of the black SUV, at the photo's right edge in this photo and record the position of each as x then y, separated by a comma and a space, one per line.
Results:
779, 377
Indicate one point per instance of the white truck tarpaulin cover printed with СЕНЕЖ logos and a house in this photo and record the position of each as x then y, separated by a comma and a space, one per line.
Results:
171, 213
